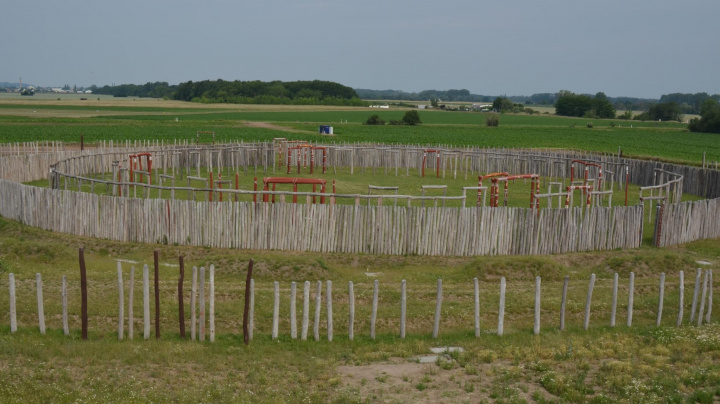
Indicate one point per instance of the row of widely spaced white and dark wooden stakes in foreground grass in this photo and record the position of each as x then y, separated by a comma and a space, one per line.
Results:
198, 324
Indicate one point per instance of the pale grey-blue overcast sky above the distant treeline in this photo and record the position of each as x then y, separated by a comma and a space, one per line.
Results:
621, 47
